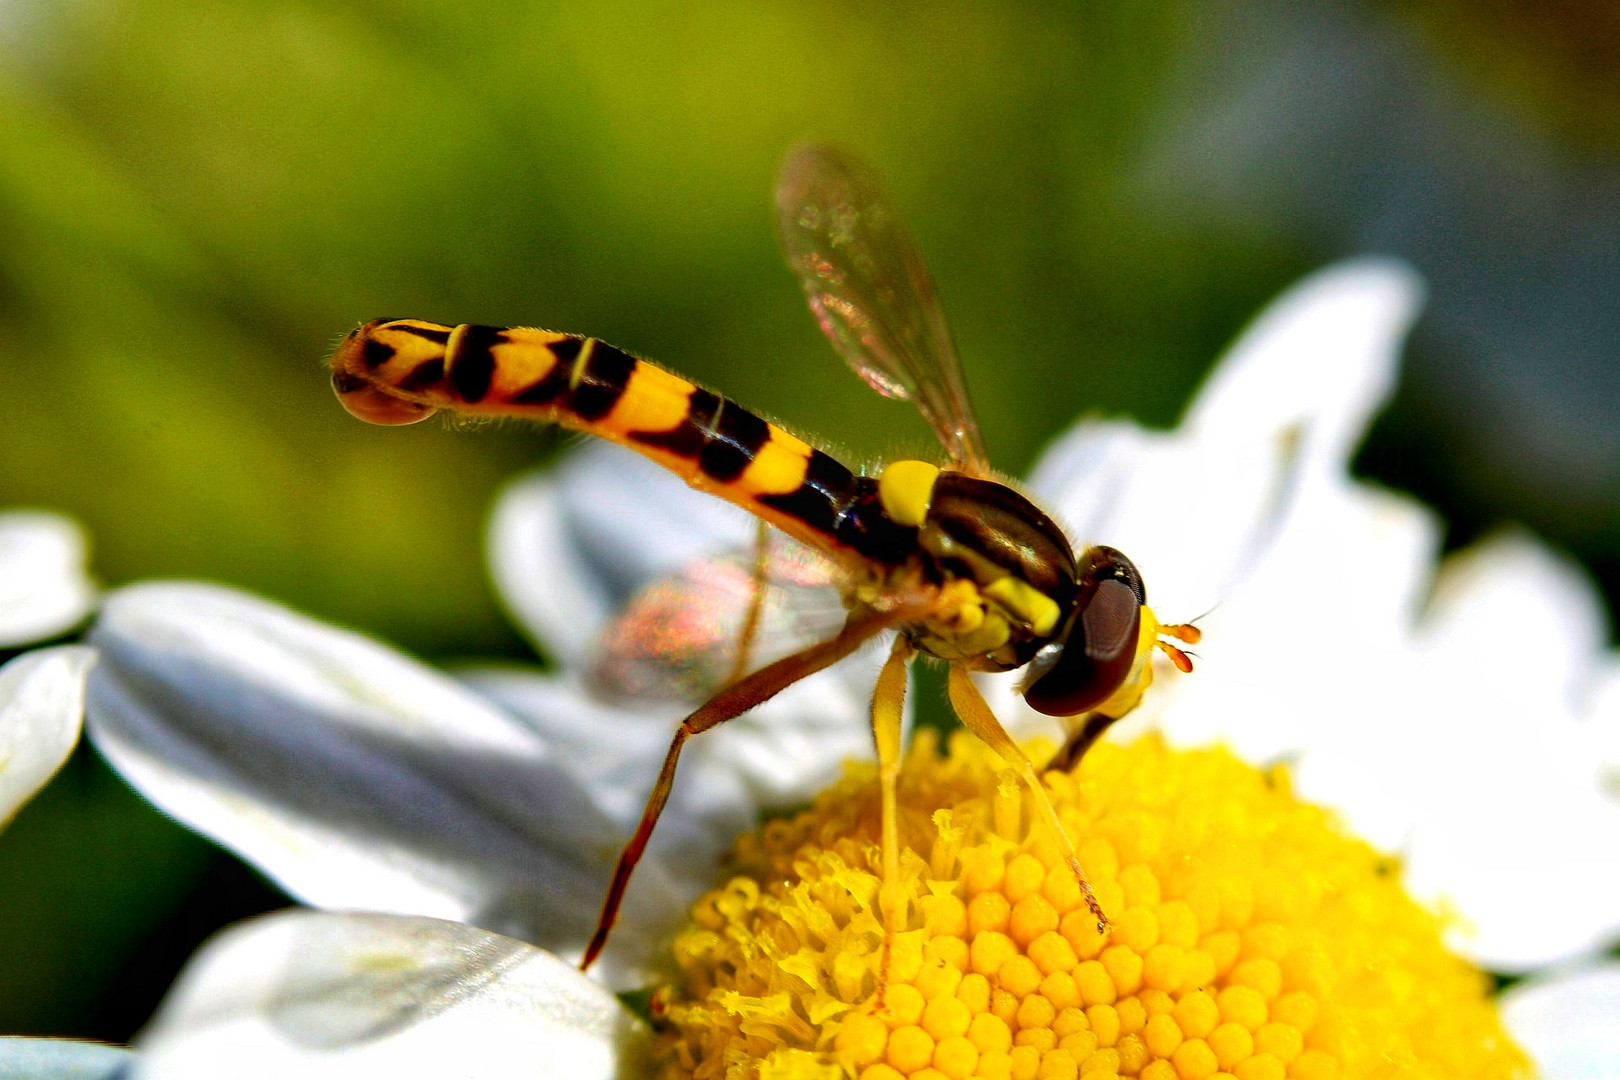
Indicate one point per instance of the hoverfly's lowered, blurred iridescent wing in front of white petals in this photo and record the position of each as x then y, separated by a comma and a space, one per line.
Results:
683, 634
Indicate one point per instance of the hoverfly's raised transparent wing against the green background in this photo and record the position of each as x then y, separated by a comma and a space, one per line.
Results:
872, 294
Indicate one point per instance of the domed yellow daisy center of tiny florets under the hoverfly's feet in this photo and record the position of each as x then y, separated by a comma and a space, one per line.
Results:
1251, 938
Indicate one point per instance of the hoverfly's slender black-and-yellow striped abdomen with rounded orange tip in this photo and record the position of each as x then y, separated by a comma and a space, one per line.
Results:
398, 372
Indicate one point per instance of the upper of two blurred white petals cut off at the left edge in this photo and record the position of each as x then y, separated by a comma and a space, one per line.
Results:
45, 589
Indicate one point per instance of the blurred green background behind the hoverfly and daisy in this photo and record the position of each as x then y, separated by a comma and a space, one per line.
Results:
200, 197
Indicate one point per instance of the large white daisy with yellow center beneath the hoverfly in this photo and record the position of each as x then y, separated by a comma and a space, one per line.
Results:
475, 820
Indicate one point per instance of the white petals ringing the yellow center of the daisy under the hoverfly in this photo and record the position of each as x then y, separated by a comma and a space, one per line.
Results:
1454, 716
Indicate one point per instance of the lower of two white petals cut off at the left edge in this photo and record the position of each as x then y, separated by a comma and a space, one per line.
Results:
41, 713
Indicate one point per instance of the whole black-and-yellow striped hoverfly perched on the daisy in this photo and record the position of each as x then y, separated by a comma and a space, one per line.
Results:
957, 563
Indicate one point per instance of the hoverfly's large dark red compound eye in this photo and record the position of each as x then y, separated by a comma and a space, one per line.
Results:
1096, 652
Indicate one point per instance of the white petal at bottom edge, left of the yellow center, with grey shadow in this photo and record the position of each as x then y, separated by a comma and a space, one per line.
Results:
352, 997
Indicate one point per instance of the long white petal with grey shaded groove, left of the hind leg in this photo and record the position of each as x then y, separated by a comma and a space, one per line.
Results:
349, 773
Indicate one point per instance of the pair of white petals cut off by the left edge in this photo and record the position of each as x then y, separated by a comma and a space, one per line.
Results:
45, 592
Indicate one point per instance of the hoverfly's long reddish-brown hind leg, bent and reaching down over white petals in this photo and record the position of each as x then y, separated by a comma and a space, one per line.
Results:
727, 705
